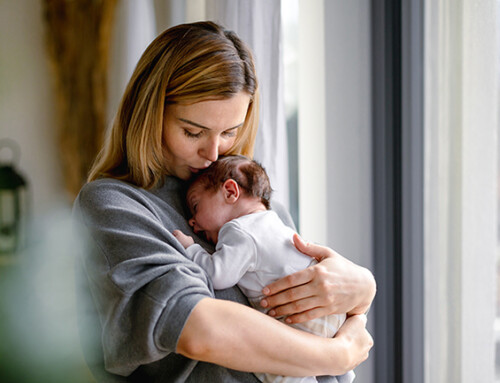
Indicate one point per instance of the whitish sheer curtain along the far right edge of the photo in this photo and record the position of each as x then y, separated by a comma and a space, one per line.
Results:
461, 124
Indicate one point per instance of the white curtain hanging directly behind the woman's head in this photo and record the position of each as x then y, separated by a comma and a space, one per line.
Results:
258, 23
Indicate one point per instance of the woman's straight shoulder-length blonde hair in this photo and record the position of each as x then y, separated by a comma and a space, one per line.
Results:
187, 63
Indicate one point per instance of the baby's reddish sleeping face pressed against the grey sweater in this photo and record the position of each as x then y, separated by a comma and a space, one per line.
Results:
209, 211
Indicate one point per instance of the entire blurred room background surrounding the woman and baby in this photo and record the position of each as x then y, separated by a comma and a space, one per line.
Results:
379, 127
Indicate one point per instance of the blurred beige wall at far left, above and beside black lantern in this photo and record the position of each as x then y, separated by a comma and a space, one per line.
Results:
26, 100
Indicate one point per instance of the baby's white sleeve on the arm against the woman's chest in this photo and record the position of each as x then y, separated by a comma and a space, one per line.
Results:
235, 254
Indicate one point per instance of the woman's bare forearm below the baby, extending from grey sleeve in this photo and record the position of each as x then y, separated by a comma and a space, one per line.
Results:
241, 338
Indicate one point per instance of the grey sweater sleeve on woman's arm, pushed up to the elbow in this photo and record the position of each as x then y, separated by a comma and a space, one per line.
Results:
143, 286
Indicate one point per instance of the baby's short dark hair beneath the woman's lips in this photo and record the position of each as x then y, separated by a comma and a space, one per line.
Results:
249, 175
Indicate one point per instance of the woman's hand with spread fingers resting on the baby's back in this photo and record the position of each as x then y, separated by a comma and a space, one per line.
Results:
334, 285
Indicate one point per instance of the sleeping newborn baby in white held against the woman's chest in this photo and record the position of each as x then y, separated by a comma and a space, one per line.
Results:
229, 202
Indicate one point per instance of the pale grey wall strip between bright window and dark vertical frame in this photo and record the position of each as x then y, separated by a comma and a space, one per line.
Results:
349, 138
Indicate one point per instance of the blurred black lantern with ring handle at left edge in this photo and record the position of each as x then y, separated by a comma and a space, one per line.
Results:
12, 199
